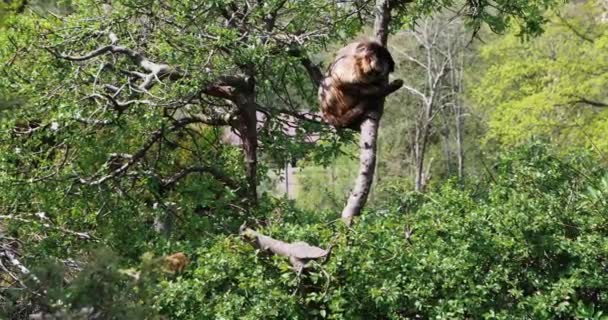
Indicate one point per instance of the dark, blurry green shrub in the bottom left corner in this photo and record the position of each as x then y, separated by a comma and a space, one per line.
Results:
101, 289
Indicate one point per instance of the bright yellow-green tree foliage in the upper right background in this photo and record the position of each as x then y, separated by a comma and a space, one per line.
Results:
546, 88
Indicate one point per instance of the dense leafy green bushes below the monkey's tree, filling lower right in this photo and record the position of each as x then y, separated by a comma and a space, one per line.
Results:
529, 241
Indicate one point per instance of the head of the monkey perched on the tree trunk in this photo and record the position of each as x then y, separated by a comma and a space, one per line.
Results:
374, 60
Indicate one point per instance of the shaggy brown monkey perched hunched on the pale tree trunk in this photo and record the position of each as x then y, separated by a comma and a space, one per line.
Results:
355, 82
